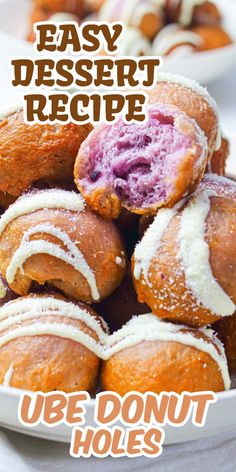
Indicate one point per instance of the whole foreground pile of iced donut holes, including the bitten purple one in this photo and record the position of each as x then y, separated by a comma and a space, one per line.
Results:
117, 250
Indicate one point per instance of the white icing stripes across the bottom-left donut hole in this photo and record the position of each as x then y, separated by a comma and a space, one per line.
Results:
25, 309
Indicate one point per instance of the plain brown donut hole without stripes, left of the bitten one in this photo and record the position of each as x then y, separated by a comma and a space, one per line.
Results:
29, 153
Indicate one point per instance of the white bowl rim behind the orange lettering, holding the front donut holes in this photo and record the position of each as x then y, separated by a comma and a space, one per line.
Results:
221, 417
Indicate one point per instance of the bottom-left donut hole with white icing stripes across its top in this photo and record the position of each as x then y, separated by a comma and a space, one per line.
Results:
49, 343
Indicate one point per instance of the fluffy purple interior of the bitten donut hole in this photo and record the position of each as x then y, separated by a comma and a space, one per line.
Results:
139, 162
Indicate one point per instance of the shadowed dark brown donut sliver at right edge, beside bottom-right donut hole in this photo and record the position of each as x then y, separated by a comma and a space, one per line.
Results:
226, 330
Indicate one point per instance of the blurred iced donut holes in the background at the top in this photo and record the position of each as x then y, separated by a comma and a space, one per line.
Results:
175, 28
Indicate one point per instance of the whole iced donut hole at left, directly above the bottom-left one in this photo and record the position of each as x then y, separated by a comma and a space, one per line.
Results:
52, 237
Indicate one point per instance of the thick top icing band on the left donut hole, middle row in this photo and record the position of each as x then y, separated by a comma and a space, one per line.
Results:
31, 202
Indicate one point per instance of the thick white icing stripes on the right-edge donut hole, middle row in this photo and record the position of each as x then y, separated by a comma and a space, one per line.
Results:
193, 251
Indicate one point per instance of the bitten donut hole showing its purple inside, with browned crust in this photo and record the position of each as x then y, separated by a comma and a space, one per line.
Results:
141, 167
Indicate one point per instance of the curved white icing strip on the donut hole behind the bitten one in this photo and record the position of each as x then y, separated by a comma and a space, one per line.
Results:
195, 87
